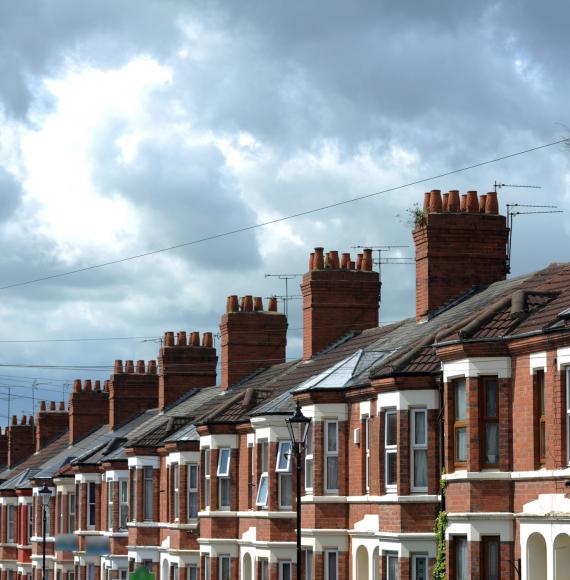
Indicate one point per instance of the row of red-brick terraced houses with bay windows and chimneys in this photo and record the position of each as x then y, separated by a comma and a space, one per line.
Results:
463, 408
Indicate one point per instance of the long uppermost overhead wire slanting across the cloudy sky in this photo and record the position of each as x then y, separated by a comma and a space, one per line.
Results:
284, 218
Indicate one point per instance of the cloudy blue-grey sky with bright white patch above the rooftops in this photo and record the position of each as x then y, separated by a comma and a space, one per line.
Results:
128, 126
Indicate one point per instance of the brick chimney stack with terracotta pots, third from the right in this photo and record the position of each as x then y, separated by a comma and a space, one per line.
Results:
252, 338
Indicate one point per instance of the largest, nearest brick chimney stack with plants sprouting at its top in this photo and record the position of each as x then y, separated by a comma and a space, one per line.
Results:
459, 244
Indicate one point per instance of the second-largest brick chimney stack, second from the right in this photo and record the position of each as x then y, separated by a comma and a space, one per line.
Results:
338, 296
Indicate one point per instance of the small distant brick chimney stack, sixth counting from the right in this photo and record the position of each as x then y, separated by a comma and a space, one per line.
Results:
88, 409
